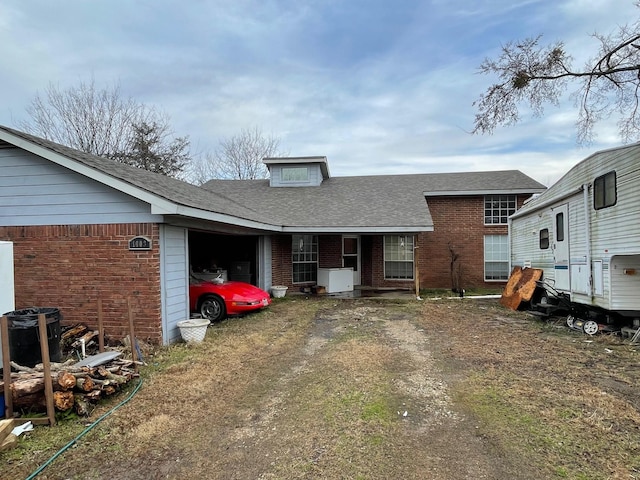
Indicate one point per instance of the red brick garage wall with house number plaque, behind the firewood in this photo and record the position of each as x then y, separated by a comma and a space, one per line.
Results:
72, 266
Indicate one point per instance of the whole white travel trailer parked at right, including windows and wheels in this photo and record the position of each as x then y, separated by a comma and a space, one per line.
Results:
584, 234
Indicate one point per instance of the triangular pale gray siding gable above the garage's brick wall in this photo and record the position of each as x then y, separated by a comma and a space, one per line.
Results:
34, 191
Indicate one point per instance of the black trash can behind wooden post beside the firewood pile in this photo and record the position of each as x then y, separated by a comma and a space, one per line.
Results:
24, 335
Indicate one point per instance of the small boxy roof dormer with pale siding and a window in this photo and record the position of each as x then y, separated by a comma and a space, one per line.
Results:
297, 171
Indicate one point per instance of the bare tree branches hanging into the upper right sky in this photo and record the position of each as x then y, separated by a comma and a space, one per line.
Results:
608, 84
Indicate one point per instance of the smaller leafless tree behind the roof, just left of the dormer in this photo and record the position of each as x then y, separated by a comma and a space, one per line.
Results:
238, 157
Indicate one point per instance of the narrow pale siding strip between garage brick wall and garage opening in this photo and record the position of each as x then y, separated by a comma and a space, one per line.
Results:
174, 276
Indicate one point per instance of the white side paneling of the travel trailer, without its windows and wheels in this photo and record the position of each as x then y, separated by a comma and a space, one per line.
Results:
610, 237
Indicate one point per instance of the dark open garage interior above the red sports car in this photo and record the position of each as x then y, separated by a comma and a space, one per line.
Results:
235, 257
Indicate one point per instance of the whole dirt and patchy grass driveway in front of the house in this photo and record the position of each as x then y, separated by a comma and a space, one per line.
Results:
371, 389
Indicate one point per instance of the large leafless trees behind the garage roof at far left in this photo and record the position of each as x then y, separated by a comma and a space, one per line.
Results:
103, 123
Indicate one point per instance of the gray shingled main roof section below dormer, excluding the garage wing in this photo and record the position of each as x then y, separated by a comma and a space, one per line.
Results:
382, 202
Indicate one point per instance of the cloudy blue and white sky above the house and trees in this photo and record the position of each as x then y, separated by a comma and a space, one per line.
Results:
377, 86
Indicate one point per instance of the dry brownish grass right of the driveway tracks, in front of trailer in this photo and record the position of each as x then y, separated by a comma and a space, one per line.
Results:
567, 402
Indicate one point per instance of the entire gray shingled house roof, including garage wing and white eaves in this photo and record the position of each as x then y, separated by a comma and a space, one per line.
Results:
384, 203
